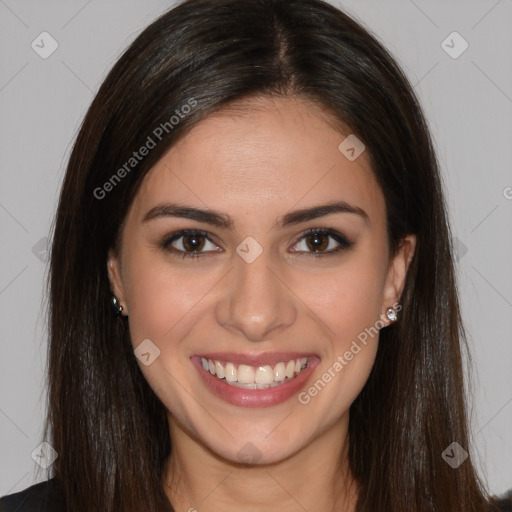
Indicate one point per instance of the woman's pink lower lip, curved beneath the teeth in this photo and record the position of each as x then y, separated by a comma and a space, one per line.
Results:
255, 397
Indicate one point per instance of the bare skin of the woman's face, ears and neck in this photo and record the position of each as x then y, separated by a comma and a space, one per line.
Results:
256, 163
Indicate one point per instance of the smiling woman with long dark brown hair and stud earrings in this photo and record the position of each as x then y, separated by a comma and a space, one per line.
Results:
252, 291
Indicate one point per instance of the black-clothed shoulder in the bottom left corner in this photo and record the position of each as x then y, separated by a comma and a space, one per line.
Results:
41, 497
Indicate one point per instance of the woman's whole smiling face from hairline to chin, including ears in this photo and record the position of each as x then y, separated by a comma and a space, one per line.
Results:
254, 256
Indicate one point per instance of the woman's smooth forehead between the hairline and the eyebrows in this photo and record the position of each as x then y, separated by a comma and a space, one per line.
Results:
262, 156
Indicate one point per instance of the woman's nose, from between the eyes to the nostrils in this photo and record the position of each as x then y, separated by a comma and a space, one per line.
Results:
257, 299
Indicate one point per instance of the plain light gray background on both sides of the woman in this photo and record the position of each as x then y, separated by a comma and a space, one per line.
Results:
468, 102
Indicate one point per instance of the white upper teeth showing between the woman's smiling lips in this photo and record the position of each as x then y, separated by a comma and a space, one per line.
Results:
260, 377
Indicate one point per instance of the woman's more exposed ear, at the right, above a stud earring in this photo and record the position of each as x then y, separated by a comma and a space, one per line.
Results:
397, 271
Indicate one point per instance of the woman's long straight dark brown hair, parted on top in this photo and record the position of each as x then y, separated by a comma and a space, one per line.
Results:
107, 425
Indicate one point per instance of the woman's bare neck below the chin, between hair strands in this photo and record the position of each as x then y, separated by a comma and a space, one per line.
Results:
315, 478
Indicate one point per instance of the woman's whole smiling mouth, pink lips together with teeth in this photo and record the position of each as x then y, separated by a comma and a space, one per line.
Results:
255, 380
